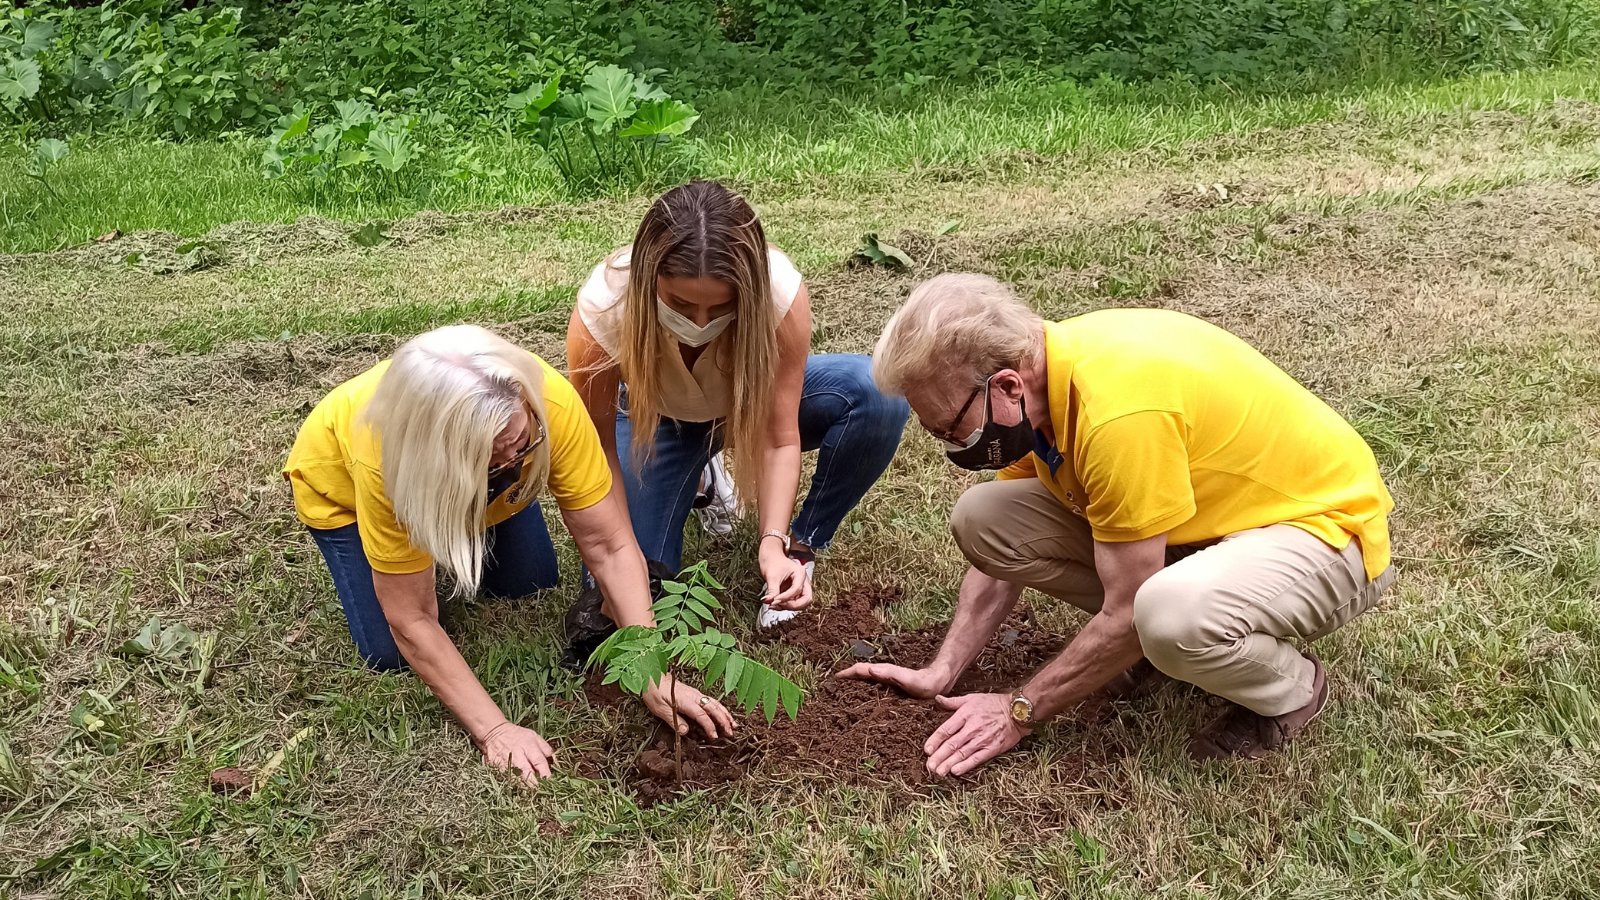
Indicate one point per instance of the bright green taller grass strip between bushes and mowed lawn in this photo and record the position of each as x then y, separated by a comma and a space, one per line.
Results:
785, 145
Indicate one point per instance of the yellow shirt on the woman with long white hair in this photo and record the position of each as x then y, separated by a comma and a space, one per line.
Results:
337, 470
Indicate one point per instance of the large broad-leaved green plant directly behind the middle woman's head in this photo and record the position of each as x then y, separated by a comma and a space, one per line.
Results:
617, 121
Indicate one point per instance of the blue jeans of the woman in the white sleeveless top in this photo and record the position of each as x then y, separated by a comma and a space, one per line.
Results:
854, 427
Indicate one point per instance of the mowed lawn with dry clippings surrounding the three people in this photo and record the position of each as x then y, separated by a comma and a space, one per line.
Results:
1431, 271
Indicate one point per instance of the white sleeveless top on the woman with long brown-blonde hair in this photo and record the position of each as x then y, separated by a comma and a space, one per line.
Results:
703, 393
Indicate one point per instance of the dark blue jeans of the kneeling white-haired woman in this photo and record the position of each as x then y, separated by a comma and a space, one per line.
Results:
521, 561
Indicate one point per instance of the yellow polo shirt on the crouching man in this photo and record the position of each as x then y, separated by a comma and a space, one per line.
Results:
1170, 425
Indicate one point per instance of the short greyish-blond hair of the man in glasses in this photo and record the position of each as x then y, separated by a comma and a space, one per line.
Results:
956, 326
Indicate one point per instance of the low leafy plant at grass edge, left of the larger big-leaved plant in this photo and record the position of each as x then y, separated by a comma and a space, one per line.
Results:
359, 145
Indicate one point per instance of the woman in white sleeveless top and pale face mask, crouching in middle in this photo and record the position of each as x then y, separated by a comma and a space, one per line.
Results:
695, 339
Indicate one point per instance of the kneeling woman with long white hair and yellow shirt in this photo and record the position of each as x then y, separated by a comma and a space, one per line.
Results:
436, 460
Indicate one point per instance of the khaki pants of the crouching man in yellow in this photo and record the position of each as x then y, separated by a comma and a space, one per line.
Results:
1222, 617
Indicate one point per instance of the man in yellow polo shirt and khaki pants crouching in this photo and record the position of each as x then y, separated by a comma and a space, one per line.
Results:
1158, 473
